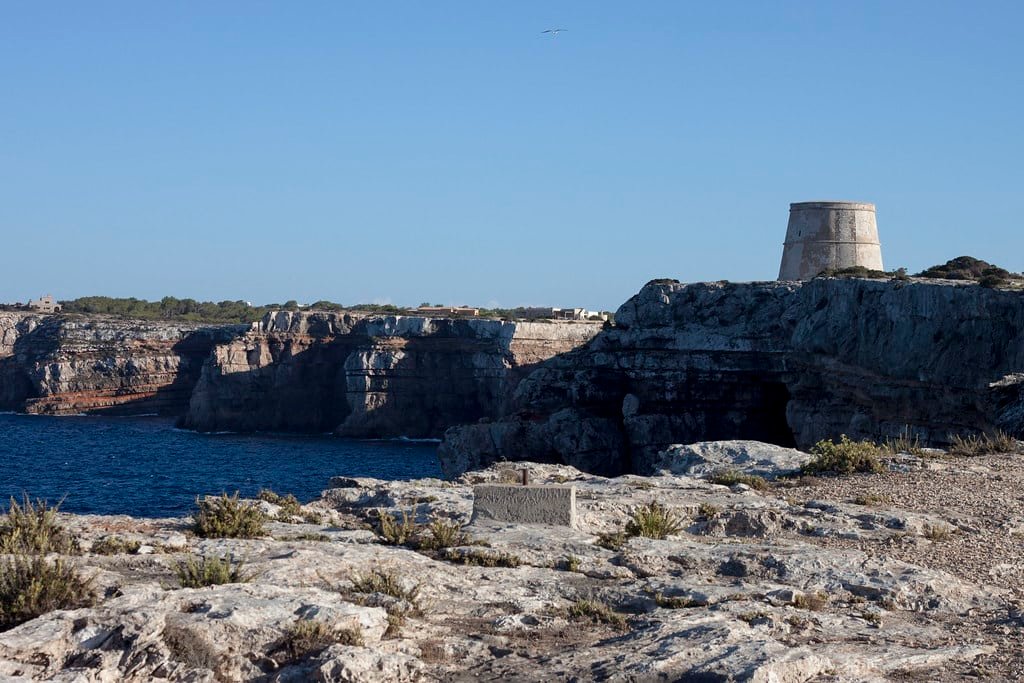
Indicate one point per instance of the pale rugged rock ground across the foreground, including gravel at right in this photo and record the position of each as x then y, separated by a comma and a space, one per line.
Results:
911, 575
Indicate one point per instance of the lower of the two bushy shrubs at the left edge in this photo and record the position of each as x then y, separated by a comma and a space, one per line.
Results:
31, 586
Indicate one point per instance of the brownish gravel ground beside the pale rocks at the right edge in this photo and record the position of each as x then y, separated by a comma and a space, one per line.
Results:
983, 501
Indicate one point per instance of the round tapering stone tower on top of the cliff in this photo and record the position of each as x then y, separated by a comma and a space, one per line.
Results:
830, 235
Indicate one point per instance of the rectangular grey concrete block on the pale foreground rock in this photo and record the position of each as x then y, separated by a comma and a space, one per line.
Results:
526, 504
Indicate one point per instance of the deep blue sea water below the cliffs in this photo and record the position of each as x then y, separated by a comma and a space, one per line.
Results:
146, 467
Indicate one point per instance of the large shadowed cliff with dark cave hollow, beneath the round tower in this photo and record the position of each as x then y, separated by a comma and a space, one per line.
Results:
785, 363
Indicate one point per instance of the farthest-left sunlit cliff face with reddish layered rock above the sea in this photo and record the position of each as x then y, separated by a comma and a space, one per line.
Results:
62, 365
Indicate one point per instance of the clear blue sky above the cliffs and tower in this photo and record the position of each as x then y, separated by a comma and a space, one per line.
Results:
406, 152
